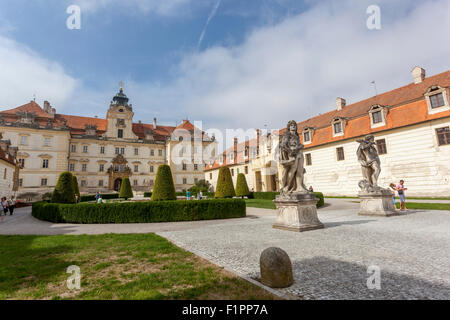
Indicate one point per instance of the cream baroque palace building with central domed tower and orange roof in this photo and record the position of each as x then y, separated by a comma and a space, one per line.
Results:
100, 152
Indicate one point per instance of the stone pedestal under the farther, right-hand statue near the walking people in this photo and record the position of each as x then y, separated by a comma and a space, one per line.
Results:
376, 203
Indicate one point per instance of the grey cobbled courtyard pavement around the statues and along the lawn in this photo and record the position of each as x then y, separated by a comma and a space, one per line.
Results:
412, 250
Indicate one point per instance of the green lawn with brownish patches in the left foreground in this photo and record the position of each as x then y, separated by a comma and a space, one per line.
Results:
113, 267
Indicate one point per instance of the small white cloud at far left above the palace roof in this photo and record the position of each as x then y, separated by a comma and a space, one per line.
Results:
24, 74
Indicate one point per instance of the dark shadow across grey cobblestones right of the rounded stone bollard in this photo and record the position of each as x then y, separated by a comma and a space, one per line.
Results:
325, 278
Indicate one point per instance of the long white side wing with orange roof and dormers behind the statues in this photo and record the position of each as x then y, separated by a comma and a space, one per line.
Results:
411, 125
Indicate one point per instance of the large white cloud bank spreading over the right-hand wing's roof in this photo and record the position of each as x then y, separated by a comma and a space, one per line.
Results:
297, 68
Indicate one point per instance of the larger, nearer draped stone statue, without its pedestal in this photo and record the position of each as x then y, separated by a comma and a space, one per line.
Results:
292, 161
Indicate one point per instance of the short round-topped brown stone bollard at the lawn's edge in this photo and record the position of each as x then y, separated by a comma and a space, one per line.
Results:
276, 268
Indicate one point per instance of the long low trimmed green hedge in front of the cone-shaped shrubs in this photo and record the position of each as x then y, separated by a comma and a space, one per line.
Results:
140, 212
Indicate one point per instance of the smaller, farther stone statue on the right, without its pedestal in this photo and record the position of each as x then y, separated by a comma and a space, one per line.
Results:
370, 163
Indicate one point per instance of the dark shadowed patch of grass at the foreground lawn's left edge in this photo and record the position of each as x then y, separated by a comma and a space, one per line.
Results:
29, 264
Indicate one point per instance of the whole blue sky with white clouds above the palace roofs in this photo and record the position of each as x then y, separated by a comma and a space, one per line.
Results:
261, 62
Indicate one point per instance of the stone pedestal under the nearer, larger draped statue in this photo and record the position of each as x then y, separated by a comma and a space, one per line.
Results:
297, 212
